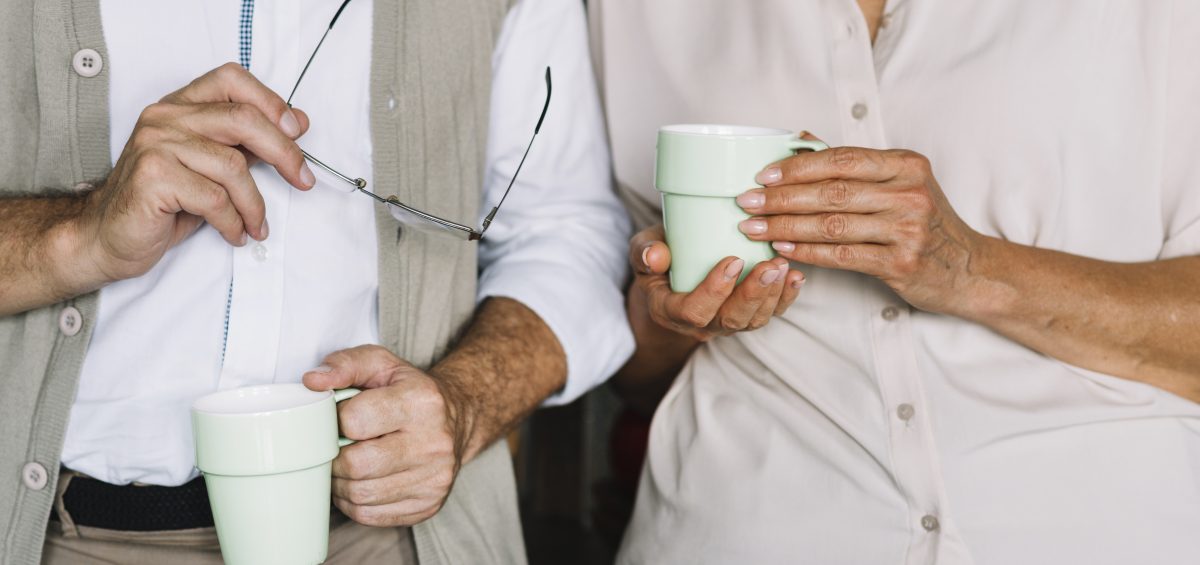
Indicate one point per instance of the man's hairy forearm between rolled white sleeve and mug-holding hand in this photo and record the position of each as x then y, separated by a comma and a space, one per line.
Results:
506, 365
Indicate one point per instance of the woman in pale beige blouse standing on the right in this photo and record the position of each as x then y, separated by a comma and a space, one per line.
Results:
995, 357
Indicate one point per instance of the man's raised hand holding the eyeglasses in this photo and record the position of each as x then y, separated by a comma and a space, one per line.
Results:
188, 163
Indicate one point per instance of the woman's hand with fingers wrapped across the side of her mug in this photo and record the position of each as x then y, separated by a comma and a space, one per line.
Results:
878, 213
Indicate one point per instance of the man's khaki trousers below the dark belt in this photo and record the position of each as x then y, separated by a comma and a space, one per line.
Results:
68, 544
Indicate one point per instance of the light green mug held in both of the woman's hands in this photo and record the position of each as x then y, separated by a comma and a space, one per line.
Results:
700, 170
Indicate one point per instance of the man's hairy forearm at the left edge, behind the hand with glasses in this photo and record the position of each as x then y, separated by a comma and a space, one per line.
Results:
40, 253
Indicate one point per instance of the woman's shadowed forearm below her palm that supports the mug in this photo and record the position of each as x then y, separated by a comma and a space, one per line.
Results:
658, 359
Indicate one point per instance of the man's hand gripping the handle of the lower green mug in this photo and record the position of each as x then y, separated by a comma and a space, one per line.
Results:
411, 440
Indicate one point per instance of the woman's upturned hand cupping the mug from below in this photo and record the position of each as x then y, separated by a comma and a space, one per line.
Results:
719, 305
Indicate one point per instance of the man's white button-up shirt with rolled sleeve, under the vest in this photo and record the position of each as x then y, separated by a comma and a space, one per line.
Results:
212, 317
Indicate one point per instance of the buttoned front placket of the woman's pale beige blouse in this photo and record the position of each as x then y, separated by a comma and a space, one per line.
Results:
910, 438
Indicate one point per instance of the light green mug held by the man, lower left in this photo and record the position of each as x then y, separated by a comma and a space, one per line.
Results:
267, 456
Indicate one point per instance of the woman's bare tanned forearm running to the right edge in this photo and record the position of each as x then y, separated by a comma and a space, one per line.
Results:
1139, 322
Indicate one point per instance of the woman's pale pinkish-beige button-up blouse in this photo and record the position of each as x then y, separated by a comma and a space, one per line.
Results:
857, 430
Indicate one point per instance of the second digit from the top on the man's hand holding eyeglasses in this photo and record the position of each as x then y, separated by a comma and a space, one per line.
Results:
238, 124
